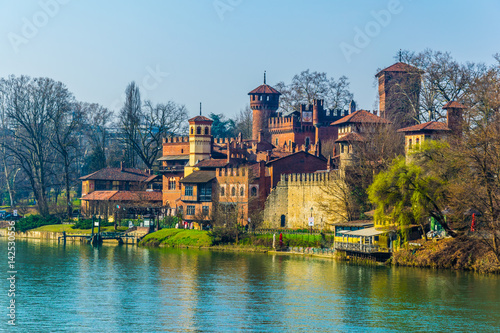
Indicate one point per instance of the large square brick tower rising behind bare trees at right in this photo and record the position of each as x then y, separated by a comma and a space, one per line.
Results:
399, 90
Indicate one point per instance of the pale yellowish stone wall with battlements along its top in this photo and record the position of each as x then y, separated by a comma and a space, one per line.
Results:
289, 203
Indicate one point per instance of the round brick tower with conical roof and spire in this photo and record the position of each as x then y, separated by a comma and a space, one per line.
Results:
264, 101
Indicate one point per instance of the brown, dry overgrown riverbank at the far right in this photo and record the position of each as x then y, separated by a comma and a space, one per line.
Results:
463, 253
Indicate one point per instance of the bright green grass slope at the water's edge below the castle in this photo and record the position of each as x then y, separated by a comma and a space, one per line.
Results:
178, 237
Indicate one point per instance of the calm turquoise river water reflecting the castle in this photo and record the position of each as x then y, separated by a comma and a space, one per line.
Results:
78, 288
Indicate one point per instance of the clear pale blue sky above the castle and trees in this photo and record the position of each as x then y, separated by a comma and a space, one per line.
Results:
215, 51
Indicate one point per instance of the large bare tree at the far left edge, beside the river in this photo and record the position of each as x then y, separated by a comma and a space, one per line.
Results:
30, 105
